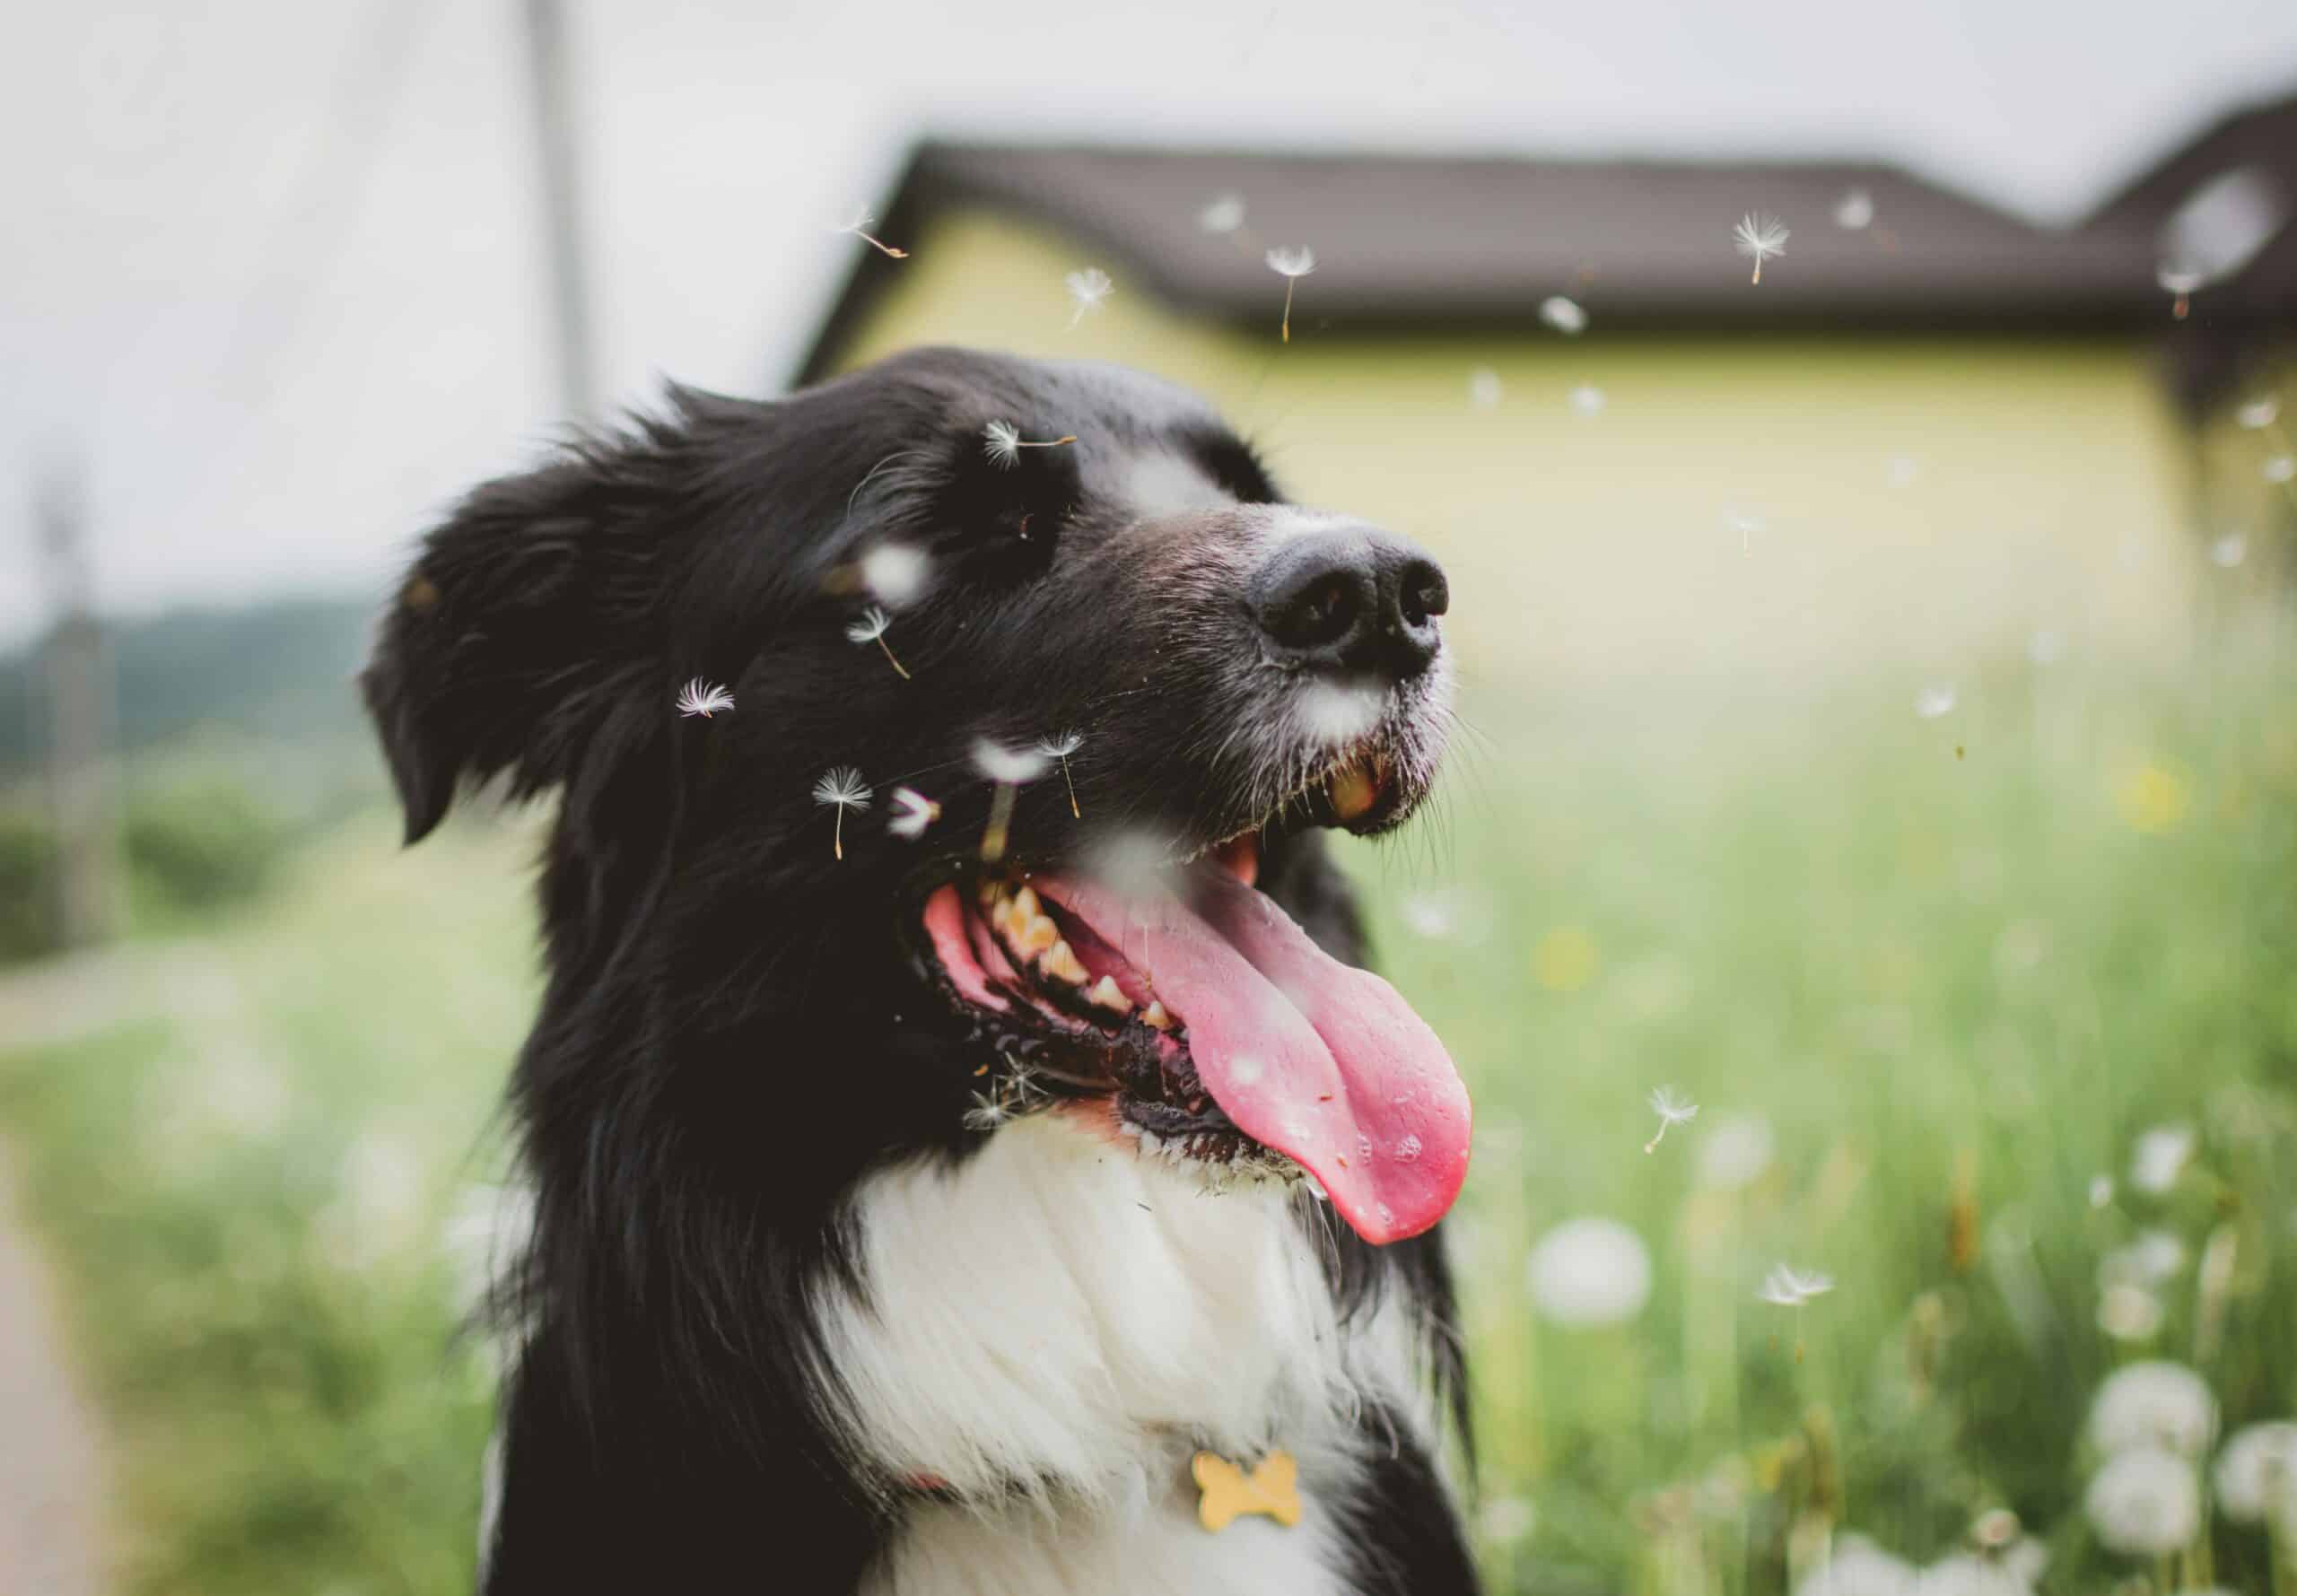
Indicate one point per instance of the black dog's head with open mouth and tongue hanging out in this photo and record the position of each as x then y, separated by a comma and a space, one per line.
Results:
1042, 695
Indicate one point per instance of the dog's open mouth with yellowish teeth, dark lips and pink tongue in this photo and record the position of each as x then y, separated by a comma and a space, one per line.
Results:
1196, 1009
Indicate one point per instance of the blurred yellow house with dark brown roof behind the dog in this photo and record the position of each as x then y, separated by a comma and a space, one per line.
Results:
1928, 433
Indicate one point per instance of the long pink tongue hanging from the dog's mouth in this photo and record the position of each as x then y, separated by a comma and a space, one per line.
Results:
1304, 1053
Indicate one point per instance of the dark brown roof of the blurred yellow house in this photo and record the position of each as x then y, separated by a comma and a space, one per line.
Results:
1483, 240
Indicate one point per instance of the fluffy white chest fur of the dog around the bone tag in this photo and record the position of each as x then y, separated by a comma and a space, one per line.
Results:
1055, 1324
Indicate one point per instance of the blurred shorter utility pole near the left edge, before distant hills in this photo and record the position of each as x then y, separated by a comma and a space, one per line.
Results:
79, 681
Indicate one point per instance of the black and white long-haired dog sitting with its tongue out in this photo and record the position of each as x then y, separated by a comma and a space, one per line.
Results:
996, 1181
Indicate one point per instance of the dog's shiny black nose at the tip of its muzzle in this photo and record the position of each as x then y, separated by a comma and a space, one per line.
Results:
1352, 601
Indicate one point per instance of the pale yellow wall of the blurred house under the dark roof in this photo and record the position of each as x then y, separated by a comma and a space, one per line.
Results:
1921, 504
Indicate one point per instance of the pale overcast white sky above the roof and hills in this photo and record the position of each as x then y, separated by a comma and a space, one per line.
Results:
274, 274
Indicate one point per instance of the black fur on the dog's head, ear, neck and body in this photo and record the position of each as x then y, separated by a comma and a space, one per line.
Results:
736, 1030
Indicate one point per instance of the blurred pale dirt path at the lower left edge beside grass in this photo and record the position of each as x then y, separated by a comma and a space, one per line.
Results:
52, 1485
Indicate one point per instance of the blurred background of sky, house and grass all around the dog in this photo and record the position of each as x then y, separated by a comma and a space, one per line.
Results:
1880, 663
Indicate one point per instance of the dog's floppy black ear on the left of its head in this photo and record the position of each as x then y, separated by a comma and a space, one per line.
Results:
520, 626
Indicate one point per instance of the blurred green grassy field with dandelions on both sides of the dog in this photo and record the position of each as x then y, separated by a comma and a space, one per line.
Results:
1931, 984
